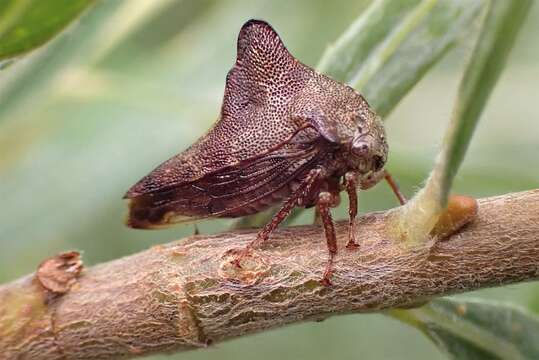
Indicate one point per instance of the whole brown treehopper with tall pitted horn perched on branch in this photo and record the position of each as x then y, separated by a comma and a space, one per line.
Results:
285, 134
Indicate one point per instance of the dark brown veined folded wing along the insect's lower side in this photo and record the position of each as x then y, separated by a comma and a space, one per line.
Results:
230, 192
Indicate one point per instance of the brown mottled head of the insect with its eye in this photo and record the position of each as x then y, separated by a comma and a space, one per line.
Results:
369, 145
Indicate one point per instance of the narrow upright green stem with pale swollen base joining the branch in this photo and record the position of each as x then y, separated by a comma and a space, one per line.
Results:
501, 25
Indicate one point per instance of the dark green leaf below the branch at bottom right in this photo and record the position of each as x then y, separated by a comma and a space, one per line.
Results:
476, 329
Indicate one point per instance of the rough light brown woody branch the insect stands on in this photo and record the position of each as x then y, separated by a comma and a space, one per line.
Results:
186, 295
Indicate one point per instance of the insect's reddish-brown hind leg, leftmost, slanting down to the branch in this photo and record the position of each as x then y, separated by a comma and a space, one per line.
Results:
303, 190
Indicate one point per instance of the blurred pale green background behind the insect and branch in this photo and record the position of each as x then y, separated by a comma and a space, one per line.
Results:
134, 82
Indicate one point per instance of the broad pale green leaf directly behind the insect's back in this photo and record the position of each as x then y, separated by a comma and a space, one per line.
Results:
387, 50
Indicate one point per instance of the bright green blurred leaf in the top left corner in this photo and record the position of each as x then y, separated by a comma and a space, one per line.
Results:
27, 24
